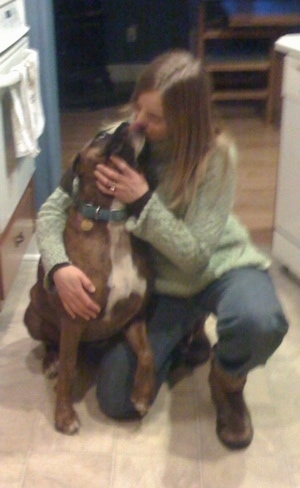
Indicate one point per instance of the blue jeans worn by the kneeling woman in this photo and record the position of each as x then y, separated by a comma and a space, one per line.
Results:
250, 326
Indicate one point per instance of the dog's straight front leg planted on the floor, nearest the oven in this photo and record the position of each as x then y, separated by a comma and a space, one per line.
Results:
66, 419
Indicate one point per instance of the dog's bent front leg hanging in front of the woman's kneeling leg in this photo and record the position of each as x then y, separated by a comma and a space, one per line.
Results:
144, 382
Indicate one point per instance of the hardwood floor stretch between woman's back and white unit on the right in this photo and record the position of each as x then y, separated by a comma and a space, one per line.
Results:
258, 146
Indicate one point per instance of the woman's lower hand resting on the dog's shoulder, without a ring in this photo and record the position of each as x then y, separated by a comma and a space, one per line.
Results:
73, 286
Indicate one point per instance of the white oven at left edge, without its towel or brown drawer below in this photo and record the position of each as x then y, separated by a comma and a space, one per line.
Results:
15, 172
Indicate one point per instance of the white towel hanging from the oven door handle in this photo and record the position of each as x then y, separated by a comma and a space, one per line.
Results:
27, 110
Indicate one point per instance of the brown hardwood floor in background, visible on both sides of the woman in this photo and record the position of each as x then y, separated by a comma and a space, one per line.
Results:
258, 146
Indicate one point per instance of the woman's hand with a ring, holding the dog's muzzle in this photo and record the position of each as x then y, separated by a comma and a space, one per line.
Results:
122, 181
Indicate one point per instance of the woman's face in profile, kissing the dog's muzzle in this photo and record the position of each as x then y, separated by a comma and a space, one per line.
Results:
149, 117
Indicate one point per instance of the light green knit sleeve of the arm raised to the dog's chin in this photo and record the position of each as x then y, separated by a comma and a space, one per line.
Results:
189, 242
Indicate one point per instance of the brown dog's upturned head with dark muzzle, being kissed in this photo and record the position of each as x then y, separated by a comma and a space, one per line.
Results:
123, 143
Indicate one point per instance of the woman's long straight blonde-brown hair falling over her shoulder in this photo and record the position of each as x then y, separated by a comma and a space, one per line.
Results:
185, 93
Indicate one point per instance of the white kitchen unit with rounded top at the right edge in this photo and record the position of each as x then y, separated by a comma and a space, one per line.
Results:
286, 236
